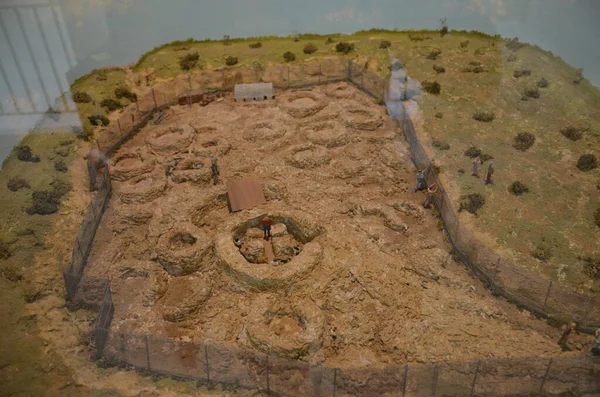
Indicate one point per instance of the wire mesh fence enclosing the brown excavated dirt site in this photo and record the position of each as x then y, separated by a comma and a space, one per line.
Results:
209, 363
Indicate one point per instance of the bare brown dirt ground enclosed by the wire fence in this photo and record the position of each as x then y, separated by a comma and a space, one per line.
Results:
385, 289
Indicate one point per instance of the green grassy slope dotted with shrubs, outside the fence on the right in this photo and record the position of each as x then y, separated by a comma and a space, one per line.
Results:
558, 210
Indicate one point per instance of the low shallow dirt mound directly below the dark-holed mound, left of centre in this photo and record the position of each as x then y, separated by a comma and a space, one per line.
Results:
184, 296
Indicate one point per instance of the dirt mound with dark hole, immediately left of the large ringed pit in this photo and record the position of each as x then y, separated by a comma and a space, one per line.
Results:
184, 249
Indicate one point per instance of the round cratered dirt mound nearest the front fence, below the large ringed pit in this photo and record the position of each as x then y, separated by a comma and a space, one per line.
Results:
291, 330
